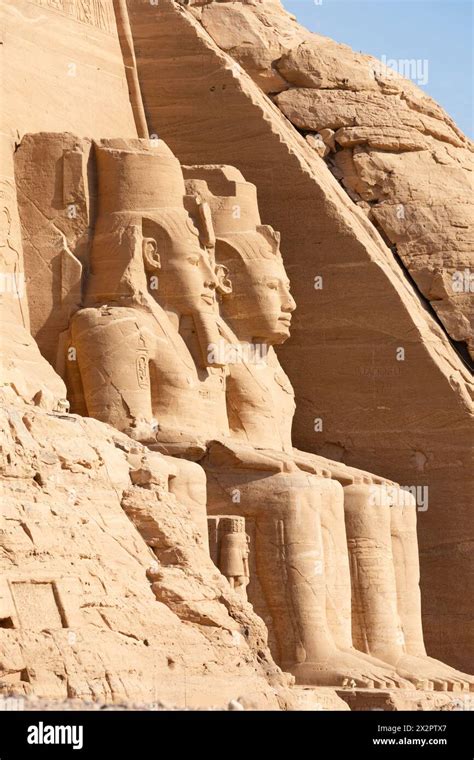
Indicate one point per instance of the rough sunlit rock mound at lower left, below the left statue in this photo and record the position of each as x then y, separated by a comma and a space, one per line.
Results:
90, 609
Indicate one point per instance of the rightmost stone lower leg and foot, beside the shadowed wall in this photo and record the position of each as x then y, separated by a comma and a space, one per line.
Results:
407, 573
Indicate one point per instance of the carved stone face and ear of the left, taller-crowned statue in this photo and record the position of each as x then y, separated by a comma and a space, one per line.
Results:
187, 280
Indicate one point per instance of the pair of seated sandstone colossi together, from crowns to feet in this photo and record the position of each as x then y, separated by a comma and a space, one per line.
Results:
151, 354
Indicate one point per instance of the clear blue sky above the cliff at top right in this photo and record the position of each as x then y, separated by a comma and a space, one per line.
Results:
438, 31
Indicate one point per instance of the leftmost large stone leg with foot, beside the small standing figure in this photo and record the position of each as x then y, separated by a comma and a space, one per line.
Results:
290, 565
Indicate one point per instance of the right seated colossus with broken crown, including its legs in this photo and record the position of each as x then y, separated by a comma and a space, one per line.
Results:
369, 532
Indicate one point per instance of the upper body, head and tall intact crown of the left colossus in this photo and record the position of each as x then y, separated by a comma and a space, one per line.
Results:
128, 364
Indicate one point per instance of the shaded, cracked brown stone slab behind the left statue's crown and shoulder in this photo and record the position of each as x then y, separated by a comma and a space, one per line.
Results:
56, 216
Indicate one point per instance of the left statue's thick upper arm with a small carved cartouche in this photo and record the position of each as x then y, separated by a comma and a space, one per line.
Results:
112, 354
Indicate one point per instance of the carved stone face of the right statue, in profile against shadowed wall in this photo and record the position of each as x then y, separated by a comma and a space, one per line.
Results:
260, 305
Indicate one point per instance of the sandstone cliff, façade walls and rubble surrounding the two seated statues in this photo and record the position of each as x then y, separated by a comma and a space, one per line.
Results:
107, 591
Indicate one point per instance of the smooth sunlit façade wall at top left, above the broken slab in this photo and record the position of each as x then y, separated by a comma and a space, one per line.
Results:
71, 50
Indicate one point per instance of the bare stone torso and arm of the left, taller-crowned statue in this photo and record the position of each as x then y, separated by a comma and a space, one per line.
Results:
141, 352
